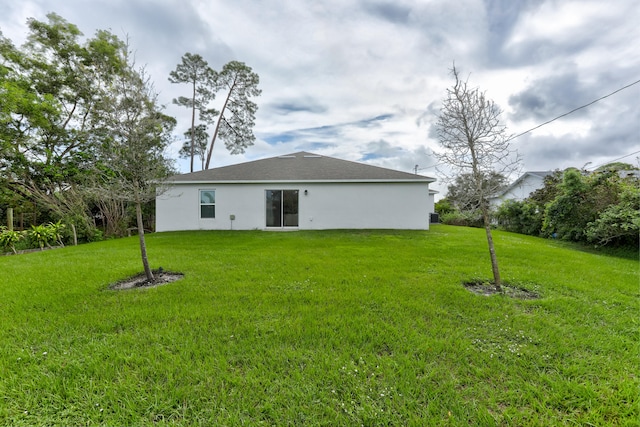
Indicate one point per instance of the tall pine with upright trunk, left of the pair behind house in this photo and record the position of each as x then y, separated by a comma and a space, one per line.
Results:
195, 71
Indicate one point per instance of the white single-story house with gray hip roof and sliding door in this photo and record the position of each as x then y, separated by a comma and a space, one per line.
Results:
300, 191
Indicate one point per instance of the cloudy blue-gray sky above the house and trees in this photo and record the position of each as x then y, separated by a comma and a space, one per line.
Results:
364, 80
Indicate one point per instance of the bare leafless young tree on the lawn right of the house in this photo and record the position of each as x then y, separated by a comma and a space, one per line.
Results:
474, 141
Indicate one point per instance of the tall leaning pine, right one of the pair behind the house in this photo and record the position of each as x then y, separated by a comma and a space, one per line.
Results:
237, 116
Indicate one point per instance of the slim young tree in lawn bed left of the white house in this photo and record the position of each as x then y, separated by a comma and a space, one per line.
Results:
135, 134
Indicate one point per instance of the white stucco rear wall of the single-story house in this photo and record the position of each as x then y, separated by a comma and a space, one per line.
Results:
325, 206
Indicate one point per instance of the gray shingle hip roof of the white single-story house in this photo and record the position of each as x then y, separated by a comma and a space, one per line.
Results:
301, 166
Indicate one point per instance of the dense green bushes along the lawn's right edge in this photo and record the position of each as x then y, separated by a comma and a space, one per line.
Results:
600, 207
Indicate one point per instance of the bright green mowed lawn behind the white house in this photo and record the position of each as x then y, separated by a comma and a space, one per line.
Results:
334, 328
